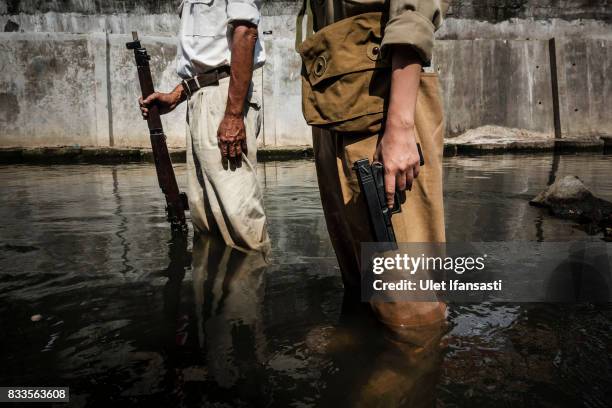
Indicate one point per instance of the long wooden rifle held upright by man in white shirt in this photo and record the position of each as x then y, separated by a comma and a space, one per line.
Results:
176, 202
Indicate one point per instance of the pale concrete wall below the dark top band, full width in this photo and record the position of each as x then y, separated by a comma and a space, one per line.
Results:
64, 89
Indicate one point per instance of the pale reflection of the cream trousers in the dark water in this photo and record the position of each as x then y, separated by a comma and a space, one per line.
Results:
228, 286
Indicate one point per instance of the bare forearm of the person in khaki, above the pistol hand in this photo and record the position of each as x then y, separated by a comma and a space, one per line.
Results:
405, 80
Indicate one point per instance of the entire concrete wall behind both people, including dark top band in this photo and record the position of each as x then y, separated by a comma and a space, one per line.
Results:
501, 78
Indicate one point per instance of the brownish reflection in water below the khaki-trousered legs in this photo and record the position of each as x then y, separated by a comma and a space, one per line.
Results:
373, 370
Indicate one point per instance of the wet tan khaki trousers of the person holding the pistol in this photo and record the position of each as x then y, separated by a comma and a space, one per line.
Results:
422, 215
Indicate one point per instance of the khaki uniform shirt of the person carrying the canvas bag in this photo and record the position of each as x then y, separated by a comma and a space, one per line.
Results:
411, 22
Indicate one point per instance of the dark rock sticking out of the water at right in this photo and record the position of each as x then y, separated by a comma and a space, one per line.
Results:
569, 198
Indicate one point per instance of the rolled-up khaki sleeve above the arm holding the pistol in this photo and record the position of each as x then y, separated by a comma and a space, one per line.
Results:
413, 22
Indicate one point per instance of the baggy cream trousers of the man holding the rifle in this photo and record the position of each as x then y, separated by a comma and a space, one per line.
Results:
224, 199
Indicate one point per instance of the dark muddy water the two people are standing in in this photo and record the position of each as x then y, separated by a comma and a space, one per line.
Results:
98, 296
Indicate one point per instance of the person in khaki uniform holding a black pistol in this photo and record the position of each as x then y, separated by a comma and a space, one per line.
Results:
409, 37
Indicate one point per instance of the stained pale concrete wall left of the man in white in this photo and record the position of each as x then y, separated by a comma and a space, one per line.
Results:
77, 89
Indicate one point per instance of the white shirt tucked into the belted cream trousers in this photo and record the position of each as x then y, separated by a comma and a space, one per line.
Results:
206, 33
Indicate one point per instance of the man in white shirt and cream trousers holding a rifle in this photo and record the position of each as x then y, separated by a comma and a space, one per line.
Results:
223, 117
